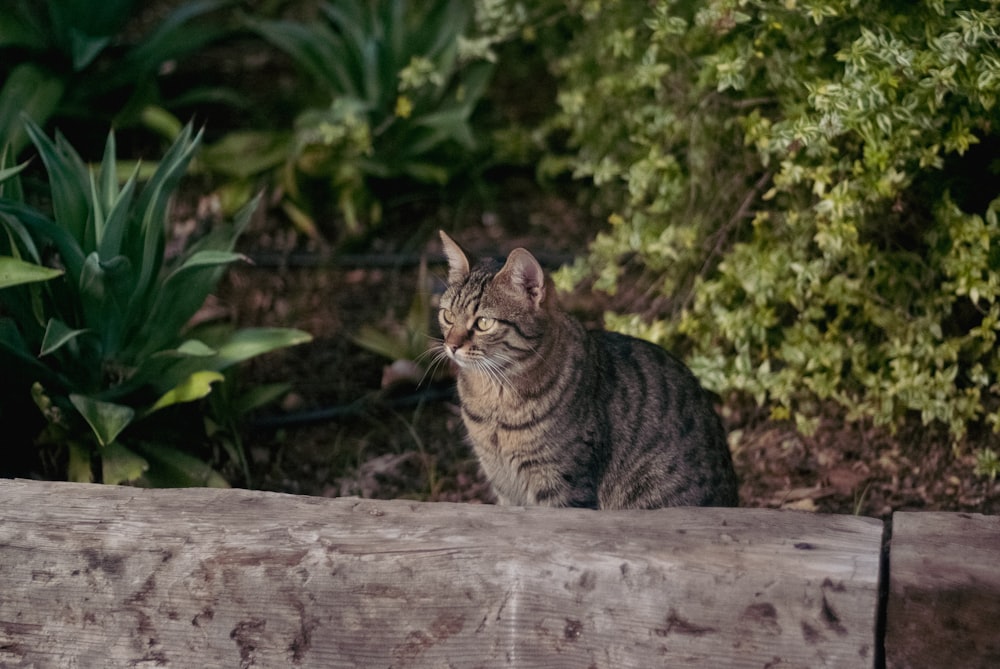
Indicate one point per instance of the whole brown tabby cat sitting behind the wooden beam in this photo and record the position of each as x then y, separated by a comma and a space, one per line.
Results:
560, 416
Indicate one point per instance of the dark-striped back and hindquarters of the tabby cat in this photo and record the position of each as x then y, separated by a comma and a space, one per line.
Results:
670, 446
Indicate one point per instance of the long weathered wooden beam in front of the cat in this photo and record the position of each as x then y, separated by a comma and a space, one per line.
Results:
94, 576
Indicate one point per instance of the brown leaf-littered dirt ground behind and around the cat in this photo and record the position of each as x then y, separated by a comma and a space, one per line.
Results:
339, 432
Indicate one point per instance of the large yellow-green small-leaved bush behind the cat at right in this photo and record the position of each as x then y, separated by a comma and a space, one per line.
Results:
812, 188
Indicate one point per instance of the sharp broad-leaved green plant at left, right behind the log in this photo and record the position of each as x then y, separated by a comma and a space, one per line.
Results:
93, 314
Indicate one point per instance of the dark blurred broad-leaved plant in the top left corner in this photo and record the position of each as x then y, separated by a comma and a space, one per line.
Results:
71, 59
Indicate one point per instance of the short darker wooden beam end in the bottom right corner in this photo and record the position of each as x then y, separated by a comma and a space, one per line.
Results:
944, 591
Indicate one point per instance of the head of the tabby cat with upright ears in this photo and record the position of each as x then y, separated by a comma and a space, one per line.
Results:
493, 317
